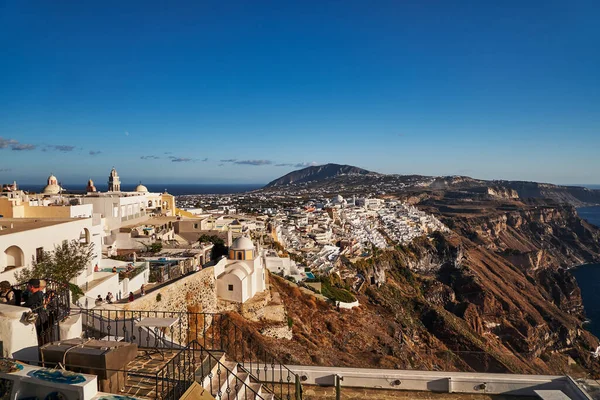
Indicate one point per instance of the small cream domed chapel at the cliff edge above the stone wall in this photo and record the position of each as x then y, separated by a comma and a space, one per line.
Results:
241, 275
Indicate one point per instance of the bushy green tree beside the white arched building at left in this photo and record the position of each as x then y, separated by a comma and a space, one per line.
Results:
67, 261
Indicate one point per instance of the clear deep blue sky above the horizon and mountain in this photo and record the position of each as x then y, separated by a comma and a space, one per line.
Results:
246, 91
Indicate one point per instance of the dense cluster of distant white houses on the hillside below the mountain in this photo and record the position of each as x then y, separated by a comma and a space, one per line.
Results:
321, 231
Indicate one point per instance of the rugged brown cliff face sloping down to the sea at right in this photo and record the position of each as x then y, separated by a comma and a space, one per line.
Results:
490, 296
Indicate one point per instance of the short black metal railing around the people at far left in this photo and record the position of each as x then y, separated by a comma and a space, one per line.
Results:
54, 308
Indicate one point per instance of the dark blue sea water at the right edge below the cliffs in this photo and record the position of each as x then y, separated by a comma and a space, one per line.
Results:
588, 277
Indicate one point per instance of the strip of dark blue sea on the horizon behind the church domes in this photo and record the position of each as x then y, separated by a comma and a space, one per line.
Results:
173, 188
